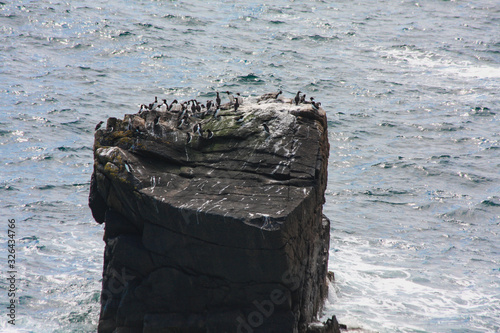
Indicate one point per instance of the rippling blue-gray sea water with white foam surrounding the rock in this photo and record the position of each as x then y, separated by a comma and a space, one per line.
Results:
412, 94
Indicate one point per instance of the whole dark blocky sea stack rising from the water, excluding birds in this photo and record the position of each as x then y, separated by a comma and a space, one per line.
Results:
213, 230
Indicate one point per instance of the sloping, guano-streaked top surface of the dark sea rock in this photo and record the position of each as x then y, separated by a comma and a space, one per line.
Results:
239, 170
